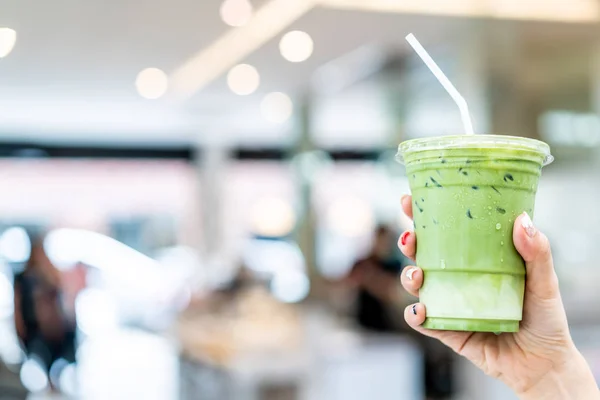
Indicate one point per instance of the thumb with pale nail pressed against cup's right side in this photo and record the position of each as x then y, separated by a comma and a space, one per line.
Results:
535, 250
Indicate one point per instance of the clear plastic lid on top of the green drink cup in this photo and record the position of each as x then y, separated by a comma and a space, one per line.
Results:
474, 142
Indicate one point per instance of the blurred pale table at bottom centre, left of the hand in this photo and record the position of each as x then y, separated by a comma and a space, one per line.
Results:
327, 362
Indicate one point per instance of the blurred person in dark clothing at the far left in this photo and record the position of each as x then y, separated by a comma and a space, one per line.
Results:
44, 329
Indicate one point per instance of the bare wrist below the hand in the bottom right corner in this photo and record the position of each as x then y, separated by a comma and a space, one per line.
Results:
571, 380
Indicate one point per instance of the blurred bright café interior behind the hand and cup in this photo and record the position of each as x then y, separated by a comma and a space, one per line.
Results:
192, 191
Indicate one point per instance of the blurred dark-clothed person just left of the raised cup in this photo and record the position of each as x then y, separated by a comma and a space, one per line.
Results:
376, 278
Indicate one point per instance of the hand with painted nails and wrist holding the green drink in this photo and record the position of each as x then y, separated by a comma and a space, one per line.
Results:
541, 358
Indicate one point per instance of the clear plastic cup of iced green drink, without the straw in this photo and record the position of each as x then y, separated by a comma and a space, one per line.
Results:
467, 192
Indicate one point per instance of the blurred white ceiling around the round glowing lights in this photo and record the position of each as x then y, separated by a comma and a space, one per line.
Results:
71, 74
